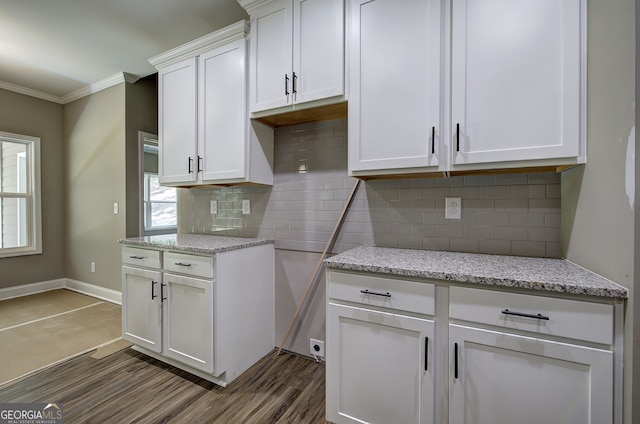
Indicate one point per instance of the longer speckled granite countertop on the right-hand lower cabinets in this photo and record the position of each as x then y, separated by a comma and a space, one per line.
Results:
552, 275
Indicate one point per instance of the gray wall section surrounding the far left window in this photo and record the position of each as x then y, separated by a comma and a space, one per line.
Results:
27, 115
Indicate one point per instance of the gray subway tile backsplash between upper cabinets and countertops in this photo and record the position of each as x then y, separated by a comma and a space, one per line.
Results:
515, 214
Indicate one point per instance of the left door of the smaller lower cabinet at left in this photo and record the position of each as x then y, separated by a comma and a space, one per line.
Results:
141, 307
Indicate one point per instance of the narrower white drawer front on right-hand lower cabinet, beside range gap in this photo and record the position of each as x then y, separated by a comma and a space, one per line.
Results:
387, 292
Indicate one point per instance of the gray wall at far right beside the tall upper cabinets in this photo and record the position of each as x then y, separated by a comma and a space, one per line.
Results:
598, 199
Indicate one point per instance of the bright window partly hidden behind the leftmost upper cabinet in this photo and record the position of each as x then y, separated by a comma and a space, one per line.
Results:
160, 205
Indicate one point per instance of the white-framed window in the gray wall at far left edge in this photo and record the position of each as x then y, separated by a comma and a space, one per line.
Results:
20, 219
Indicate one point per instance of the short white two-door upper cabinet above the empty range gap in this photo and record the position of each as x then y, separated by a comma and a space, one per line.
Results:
297, 52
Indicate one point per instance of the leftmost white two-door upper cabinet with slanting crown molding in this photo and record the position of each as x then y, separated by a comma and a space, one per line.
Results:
205, 135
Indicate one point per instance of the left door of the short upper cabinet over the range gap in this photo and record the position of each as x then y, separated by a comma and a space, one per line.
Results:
271, 56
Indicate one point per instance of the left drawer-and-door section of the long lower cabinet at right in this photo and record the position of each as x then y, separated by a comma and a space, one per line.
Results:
380, 357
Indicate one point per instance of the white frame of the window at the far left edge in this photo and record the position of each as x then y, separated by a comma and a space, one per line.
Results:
33, 196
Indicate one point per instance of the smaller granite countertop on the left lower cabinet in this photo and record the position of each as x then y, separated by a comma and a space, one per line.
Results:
196, 243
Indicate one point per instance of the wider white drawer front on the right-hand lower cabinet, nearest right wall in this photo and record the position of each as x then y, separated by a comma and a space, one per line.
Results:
566, 318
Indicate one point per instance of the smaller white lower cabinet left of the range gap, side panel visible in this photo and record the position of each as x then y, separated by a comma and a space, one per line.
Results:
210, 315
